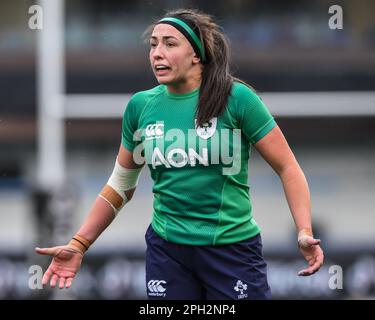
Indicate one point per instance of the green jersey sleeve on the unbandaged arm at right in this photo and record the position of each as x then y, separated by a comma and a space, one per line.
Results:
255, 118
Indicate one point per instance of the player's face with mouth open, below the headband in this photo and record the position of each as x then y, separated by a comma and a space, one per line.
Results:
172, 57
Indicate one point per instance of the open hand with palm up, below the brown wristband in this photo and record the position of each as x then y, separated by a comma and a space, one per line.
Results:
64, 266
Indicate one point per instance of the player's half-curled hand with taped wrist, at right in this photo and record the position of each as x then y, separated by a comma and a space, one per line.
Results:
313, 254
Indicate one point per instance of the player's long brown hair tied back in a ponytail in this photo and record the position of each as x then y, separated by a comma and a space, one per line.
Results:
216, 78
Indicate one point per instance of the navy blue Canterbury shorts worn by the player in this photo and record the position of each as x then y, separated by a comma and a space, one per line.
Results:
229, 272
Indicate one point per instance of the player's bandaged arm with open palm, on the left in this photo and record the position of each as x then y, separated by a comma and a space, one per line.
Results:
118, 190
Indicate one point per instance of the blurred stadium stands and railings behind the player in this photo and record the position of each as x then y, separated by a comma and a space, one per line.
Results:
284, 49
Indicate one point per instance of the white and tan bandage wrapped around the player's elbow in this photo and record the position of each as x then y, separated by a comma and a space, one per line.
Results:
121, 180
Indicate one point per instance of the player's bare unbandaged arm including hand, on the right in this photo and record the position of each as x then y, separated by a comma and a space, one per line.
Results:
275, 150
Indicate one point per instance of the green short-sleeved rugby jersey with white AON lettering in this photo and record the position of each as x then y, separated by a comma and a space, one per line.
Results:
201, 191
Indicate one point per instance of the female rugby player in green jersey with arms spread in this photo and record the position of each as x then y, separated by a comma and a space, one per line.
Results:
194, 131
